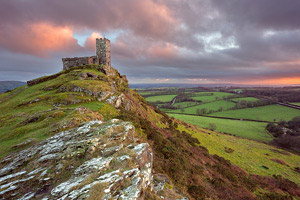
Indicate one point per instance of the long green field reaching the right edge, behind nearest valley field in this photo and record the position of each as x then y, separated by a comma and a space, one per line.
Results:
266, 113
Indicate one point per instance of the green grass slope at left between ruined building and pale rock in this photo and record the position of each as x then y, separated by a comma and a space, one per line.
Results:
41, 110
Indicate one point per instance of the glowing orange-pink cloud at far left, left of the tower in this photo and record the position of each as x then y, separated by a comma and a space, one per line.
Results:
37, 39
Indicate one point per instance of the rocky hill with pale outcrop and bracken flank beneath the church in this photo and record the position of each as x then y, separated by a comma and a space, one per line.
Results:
83, 134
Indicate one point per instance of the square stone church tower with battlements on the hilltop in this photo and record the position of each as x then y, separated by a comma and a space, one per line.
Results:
103, 51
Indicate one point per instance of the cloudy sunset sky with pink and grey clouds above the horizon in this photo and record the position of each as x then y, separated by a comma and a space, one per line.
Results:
156, 41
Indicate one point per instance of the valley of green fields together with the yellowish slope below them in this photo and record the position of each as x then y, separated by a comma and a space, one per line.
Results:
233, 125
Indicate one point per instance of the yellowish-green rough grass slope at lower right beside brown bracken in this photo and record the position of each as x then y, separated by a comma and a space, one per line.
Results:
250, 155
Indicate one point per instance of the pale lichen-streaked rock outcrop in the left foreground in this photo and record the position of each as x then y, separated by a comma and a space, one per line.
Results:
96, 159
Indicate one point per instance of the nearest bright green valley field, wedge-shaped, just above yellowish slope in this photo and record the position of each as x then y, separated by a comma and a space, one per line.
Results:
245, 129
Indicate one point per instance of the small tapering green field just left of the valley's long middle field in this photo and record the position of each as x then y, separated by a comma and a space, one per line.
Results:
214, 106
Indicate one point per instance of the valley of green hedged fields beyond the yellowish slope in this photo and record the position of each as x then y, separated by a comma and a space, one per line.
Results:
234, 111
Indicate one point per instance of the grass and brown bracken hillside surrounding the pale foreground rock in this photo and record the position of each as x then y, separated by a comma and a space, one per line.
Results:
182, 152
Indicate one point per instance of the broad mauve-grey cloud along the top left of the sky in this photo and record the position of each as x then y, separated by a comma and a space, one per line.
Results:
149, 18
